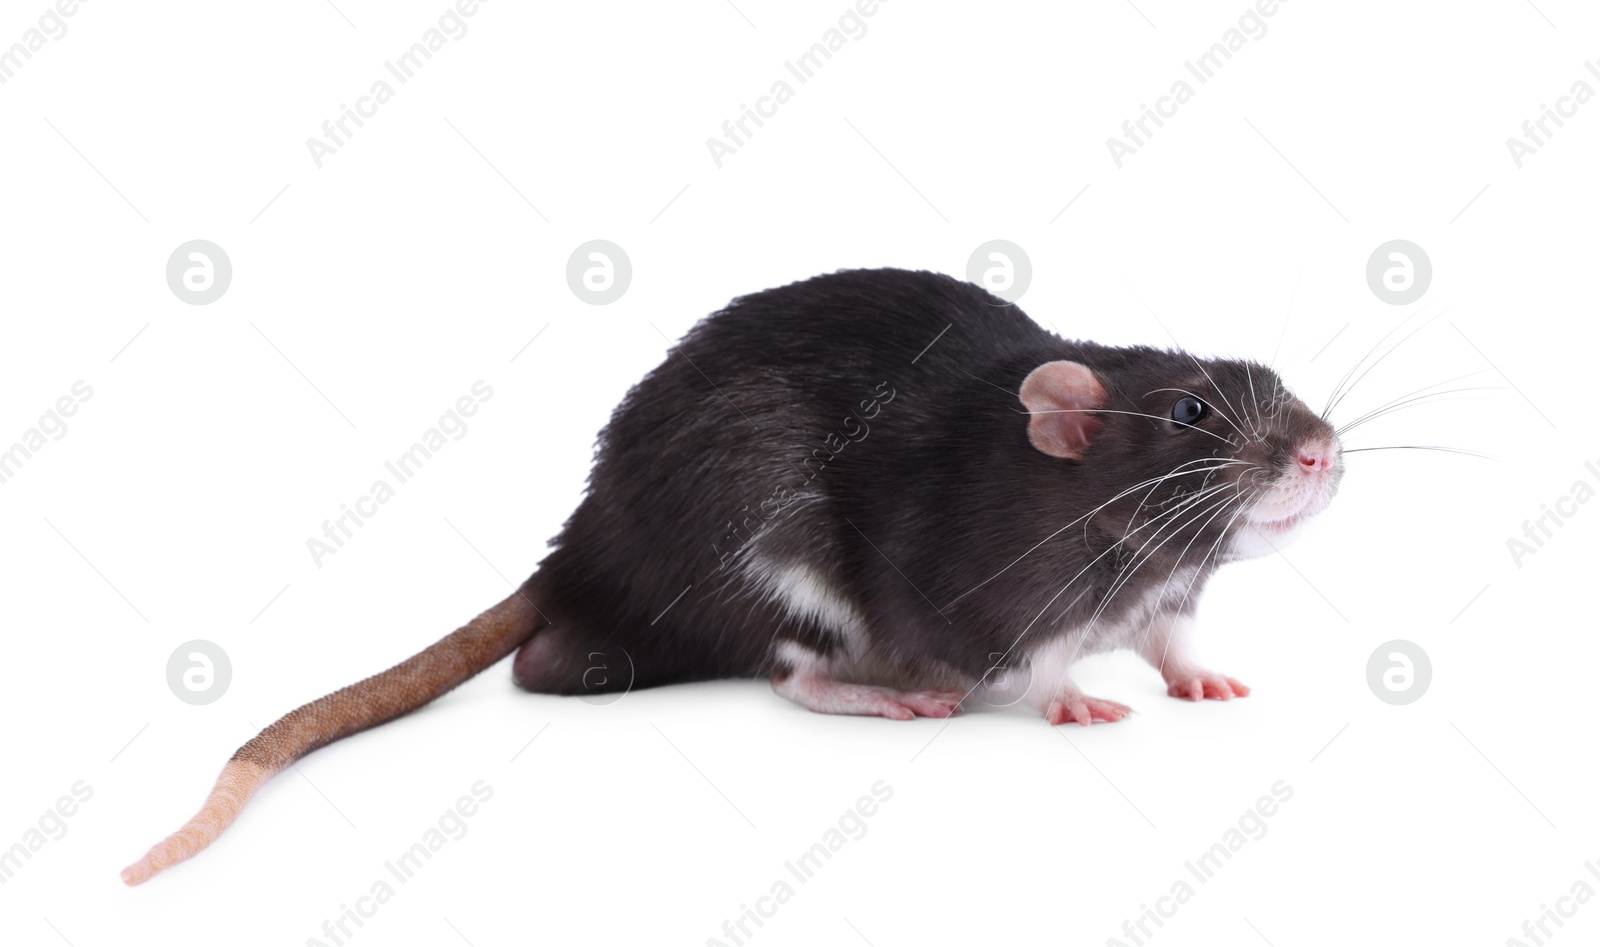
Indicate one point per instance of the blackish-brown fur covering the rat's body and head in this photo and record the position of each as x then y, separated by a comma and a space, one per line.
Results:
940, 493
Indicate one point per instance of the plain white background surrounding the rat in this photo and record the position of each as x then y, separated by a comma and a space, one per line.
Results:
414, 263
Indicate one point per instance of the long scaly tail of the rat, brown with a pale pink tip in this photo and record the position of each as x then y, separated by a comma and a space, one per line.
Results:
361, 706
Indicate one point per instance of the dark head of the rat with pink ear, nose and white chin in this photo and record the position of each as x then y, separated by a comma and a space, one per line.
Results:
1183, 449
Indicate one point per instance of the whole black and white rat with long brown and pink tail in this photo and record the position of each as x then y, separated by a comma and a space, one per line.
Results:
886, 492
